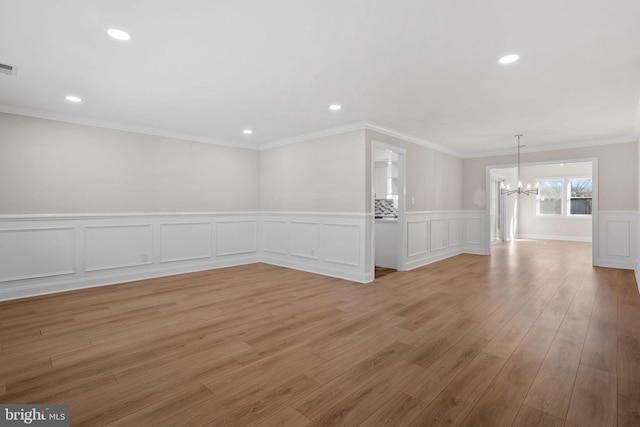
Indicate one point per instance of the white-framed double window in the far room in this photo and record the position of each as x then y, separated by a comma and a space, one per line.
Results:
566, 196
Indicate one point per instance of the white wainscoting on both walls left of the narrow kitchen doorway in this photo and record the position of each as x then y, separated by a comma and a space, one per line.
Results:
55, 253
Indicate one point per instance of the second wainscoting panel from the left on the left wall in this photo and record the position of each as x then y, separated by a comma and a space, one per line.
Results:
117, 246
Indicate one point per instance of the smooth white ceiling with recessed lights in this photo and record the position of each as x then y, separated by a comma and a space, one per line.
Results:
427, 68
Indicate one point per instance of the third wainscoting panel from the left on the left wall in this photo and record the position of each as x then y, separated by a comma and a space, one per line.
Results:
185, 241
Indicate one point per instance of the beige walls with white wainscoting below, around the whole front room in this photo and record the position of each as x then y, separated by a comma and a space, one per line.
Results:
84, 206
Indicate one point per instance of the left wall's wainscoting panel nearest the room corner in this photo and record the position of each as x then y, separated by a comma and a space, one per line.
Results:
236, 237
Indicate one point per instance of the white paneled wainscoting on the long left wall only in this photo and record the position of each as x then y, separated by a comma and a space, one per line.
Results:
53, 253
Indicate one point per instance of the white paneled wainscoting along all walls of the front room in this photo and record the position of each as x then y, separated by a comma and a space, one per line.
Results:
50, 253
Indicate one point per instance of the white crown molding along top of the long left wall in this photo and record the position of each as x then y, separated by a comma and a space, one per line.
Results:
86, 121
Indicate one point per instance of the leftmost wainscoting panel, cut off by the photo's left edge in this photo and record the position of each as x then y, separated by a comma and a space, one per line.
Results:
27, 253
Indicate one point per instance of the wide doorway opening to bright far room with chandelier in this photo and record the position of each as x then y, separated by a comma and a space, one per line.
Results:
565, 207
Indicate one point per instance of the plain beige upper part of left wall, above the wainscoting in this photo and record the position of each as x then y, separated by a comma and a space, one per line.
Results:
50, 167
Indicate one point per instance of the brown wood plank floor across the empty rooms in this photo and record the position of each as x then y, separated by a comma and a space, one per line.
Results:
532, 335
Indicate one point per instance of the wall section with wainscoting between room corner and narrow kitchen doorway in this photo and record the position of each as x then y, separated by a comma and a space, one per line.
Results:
314, 215
